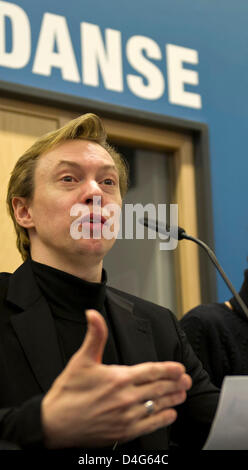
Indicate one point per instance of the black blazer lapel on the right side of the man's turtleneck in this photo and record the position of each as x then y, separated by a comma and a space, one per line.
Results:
133, 334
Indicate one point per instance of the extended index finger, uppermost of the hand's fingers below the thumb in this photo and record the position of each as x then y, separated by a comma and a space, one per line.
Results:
152, 371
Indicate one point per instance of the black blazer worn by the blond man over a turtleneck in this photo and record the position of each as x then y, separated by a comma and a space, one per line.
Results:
30, 360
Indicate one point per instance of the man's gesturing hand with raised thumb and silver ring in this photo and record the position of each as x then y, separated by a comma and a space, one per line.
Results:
93, 405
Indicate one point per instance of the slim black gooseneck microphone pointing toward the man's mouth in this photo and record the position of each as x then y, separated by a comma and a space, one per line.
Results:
180, 234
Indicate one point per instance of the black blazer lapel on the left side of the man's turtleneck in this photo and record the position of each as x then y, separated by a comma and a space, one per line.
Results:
34, 326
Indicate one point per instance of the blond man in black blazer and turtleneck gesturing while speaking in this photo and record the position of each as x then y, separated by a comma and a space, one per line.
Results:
118, 383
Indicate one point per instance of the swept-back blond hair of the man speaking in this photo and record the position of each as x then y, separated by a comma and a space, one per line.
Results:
21, 184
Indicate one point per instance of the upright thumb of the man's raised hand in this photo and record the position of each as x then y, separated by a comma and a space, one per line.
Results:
96, 337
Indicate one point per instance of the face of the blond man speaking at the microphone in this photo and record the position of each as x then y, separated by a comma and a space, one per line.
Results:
72, 173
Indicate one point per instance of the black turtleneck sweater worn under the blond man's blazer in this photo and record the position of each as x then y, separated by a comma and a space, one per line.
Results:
68, 297
